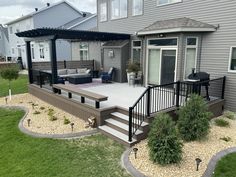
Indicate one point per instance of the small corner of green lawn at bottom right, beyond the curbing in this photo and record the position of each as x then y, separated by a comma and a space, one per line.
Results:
226, 166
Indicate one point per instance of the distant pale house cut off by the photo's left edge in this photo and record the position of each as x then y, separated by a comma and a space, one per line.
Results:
4, 43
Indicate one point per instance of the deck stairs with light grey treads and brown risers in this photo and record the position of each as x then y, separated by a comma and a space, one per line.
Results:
116, 127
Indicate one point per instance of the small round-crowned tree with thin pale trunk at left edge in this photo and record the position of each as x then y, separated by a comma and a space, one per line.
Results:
9, 73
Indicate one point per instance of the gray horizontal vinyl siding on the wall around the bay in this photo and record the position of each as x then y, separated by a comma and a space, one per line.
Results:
215, 49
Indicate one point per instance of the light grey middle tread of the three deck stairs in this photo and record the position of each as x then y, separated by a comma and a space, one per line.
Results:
121, 126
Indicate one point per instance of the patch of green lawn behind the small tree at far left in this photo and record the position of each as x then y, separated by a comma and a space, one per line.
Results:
18, 86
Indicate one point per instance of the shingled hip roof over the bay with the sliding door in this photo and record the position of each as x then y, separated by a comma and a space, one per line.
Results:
177, 25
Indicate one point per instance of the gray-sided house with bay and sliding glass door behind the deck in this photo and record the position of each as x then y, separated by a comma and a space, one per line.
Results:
170, 37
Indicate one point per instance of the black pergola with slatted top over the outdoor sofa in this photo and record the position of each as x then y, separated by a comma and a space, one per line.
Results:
53, 34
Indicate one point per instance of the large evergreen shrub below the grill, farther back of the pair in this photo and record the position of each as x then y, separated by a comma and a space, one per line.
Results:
193, 123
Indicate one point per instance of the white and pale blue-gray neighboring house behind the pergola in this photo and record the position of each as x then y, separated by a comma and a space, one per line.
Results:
58, 15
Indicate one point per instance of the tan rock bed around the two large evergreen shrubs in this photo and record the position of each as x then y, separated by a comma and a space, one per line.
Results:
219, 138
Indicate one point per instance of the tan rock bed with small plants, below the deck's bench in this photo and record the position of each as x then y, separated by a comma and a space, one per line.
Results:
40, 120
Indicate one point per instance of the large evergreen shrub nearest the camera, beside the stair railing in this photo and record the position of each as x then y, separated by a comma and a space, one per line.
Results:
164, 144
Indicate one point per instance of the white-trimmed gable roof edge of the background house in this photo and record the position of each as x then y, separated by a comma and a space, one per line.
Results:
43, 9
